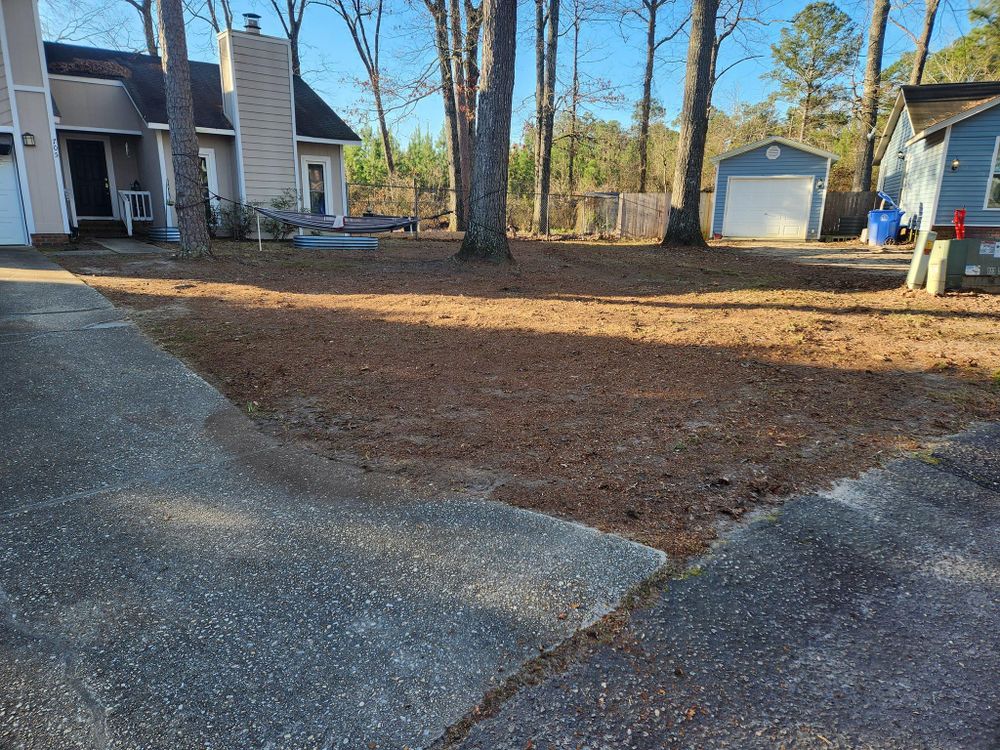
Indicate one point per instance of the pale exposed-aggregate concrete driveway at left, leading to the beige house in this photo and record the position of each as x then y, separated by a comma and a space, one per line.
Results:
171, 579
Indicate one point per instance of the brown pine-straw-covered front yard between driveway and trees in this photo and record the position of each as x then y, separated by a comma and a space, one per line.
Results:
640, 391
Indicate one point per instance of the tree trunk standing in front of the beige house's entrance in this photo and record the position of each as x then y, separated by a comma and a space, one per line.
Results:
189, 199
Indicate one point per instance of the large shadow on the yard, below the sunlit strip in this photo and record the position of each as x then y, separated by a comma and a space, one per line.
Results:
650, 439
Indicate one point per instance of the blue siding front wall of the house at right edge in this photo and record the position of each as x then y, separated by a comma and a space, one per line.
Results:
972, 142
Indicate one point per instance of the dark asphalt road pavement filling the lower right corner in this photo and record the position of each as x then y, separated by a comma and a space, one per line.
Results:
866, 617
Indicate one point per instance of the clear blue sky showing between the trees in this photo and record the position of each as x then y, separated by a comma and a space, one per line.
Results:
614, 53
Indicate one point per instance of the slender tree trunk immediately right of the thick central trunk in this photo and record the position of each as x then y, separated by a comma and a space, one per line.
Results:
545, 94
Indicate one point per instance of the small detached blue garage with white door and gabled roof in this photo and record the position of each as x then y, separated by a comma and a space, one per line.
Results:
771, 189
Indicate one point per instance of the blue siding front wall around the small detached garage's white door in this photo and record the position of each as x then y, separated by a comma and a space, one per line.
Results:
755, 163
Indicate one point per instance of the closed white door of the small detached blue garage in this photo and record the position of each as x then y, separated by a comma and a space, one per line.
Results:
775, 207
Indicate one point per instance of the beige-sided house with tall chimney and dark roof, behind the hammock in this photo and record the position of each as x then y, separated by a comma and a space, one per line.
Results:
84, 139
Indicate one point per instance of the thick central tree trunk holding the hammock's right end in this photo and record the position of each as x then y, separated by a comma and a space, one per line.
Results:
486, 238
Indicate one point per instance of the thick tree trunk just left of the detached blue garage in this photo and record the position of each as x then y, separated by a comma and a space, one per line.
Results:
684, 224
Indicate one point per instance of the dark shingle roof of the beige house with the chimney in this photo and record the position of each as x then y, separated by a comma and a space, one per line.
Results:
142, 77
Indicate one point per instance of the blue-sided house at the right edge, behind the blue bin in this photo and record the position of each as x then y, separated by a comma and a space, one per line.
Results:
939, 153
